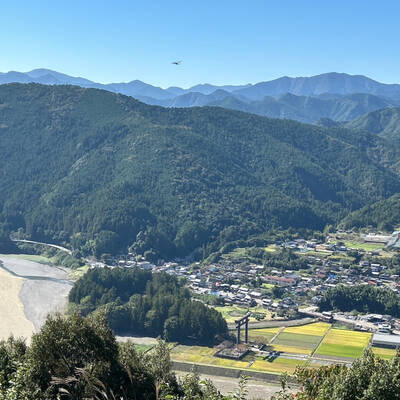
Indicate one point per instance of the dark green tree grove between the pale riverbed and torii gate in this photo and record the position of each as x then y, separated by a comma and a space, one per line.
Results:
141, 303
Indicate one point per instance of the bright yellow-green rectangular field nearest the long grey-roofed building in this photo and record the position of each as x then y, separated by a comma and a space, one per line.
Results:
343, 343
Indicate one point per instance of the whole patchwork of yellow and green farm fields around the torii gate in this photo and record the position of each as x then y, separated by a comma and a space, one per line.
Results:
312, 345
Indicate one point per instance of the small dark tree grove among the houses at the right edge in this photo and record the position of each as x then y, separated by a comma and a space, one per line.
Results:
362, 298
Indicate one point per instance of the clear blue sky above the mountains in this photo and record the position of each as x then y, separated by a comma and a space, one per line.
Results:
219, 41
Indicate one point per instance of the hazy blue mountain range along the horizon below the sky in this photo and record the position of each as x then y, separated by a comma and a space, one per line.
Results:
337, 96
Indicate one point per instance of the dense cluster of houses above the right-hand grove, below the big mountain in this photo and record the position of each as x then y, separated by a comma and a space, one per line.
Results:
237, 282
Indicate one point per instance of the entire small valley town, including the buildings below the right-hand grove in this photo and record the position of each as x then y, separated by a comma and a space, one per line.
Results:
286, 294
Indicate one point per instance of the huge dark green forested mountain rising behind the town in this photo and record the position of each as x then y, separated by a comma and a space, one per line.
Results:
101, 171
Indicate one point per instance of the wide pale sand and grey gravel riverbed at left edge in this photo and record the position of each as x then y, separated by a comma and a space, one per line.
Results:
29, 291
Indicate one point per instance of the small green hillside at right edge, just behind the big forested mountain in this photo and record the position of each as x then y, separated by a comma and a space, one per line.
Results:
384, 122
